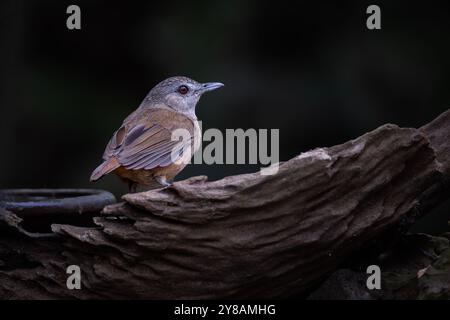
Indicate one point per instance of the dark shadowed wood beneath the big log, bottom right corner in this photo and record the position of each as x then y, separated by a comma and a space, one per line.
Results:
418, 267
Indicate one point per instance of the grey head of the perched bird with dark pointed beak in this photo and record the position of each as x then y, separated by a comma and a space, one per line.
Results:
180, 93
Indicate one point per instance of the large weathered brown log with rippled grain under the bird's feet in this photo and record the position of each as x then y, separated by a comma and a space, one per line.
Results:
243, 236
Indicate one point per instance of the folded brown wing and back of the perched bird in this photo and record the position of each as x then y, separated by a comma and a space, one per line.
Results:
148, 144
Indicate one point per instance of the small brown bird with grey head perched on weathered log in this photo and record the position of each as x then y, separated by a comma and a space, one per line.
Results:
143, 151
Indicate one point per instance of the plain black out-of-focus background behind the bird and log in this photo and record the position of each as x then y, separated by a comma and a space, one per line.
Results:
311, 69
